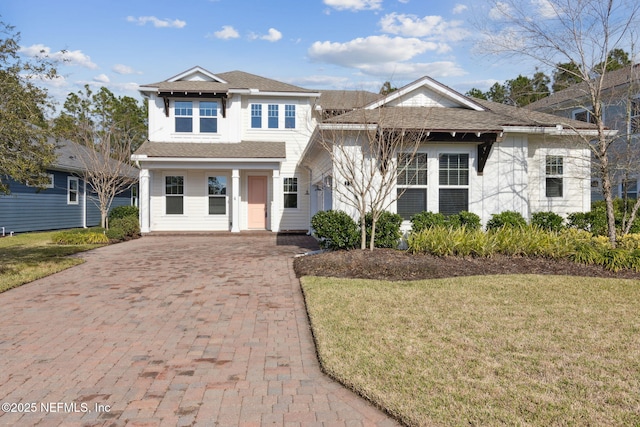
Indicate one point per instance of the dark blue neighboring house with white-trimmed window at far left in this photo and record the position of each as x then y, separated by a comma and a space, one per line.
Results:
67, 202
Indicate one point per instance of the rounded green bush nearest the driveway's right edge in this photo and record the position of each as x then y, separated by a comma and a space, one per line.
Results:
335, 230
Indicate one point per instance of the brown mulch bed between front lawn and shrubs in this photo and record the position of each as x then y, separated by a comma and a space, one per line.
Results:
389, 264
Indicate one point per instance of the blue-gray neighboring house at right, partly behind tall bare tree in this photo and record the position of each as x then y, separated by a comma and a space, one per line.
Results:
620, 111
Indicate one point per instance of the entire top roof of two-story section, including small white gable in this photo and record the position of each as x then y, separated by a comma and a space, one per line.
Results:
227, 82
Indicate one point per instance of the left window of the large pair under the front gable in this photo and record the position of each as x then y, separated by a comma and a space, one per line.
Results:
412, 185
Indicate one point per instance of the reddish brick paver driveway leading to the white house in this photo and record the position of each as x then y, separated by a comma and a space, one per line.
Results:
170, 330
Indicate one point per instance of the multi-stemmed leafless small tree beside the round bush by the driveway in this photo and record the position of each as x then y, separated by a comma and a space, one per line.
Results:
367, 149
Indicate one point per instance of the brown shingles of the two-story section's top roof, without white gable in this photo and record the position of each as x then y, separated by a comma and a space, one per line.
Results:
233, 79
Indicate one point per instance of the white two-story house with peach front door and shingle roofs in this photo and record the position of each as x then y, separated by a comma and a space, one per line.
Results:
234, 151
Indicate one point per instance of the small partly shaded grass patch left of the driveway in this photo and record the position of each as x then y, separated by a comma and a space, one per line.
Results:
30, 256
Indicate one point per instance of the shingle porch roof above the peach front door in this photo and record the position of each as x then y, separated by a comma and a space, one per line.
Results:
239, 150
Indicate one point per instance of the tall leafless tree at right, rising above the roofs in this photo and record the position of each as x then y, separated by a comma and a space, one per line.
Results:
579, 32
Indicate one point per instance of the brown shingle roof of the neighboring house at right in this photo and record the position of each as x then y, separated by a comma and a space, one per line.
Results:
571, 96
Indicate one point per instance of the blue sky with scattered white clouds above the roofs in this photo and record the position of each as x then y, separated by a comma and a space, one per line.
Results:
315, 44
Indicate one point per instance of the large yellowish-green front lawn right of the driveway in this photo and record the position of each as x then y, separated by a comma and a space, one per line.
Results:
491, 350
